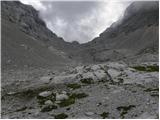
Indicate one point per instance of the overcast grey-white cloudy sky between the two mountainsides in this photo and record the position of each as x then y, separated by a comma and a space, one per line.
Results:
79, 21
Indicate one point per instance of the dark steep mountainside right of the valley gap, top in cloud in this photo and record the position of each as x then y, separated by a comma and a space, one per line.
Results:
136, 33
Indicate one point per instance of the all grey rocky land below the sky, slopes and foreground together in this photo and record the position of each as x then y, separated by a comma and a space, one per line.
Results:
90, 90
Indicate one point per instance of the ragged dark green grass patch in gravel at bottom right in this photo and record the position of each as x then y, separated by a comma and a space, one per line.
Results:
124, 110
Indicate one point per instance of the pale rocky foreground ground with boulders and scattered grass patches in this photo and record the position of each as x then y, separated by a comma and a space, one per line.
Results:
108, 90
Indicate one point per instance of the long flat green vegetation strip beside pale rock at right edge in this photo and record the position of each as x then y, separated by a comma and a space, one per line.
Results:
153, 68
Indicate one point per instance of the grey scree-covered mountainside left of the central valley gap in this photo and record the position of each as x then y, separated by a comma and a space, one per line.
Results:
27, 42
